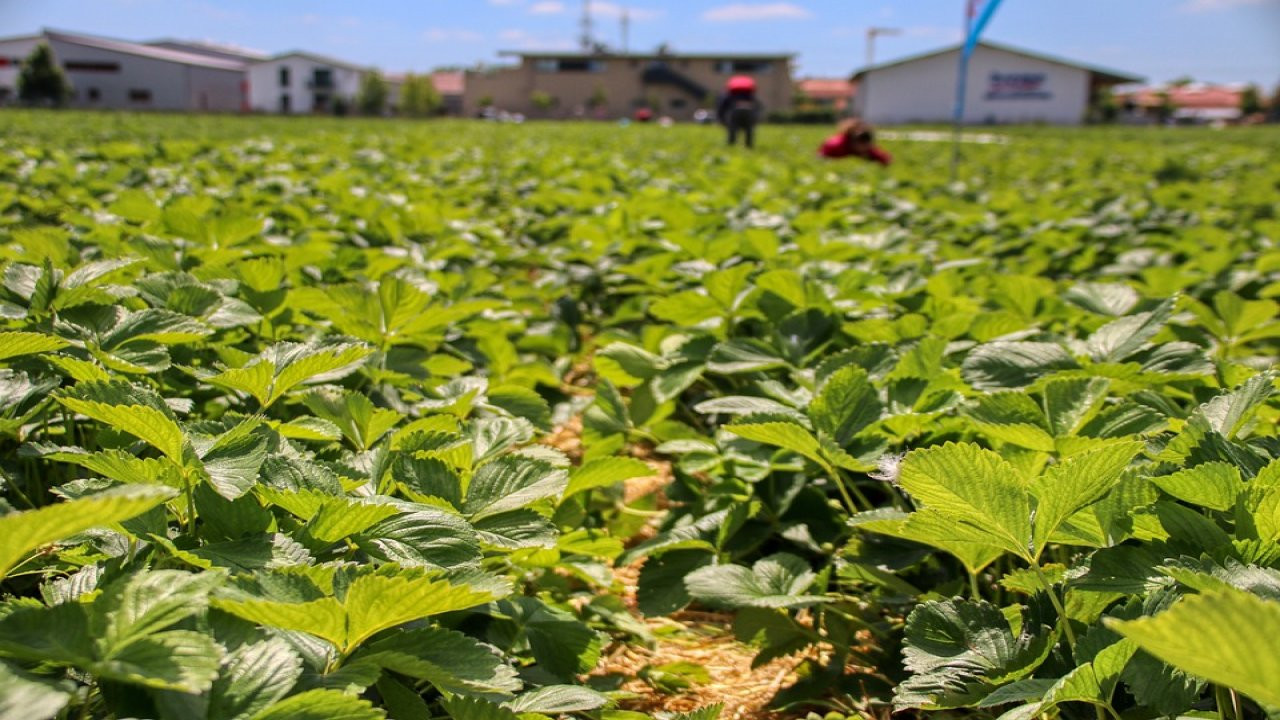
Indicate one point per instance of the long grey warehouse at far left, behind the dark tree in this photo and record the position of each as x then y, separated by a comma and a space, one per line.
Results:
129, 76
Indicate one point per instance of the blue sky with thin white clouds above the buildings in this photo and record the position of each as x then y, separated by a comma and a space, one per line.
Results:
1213, 40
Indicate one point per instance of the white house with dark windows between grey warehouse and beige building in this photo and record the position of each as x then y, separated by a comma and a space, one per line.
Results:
300, 84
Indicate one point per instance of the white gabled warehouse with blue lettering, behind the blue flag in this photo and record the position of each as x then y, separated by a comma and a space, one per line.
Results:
1005, 85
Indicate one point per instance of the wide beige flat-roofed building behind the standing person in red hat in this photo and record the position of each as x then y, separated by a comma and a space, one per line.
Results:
615, 85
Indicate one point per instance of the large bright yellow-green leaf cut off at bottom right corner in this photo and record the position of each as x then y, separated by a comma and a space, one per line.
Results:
1224, 636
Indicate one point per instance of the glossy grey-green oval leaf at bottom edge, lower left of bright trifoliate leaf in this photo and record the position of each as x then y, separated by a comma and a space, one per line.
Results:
254, 677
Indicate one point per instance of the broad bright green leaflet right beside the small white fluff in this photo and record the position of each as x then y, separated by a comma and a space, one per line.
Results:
975, 490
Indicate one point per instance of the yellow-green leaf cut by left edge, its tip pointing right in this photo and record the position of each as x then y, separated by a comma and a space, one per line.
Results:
25, 532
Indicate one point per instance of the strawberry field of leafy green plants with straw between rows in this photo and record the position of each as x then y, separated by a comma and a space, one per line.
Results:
318, 420
